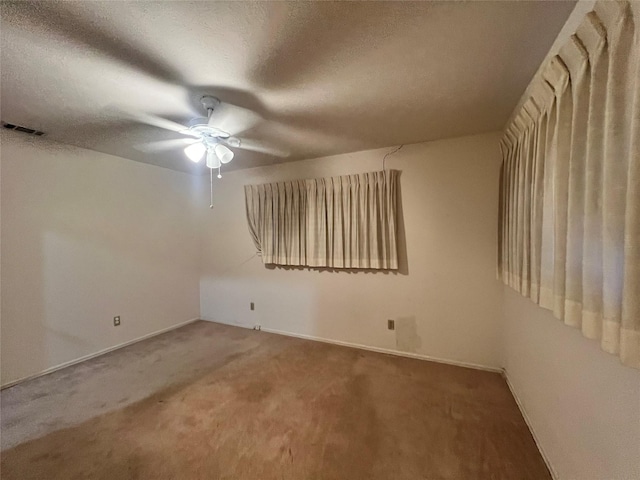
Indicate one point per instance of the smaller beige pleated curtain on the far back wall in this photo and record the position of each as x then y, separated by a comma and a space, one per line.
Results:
337, 222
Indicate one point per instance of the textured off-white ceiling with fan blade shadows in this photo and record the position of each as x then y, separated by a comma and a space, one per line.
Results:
325, 77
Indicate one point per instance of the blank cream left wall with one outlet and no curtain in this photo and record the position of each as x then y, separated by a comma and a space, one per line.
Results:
85, 237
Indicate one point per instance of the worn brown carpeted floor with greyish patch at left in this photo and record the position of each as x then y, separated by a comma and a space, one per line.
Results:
209, 401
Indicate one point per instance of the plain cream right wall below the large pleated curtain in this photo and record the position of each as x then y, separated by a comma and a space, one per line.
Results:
583, 405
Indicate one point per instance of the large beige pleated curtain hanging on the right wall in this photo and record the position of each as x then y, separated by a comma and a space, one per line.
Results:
570, 186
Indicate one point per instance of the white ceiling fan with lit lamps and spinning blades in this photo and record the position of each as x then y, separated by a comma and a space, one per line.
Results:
210, 137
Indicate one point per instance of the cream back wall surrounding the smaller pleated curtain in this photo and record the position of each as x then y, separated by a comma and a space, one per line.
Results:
446, 300
